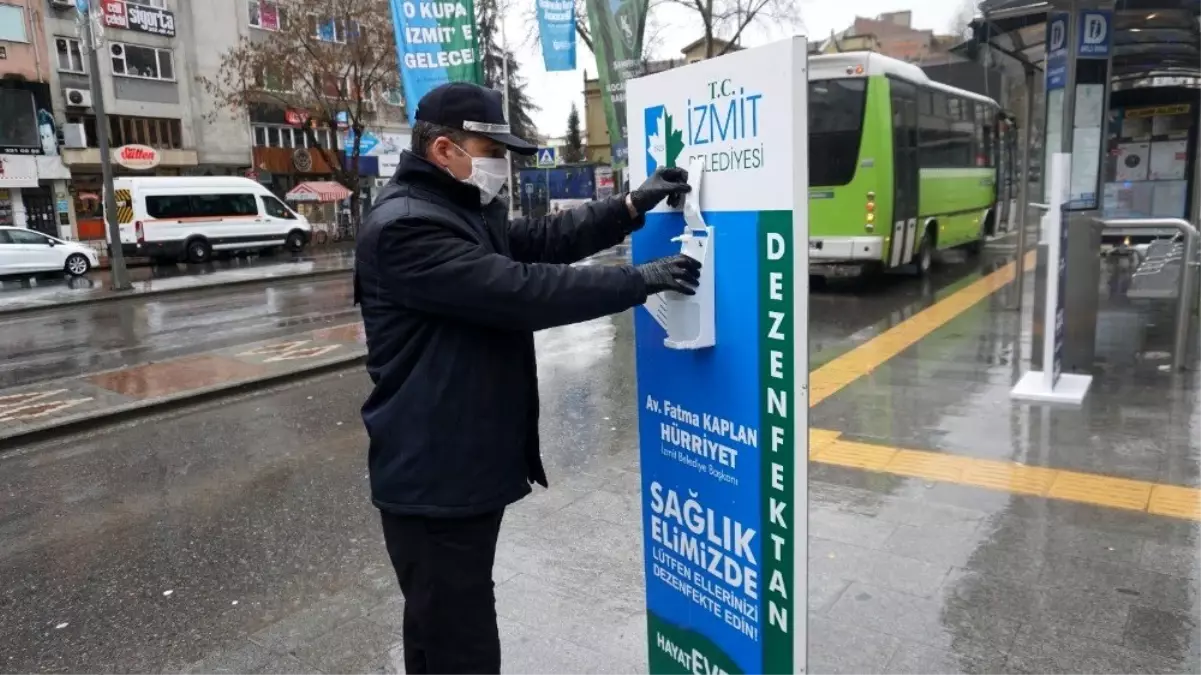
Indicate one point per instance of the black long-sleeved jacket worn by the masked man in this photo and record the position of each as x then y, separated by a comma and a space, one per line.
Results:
451, 295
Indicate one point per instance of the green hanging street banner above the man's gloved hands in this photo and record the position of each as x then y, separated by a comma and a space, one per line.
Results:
618, 28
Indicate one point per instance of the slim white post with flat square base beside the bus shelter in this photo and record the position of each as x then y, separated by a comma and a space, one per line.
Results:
1051, 385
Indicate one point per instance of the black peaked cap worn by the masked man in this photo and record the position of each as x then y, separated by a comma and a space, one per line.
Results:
471, 109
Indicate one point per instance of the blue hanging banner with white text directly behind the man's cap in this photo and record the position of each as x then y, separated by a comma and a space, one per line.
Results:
437, 44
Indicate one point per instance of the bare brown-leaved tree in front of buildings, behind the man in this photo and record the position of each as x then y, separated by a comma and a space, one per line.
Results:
332, 59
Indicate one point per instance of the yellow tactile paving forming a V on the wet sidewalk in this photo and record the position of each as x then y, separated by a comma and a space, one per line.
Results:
829, 447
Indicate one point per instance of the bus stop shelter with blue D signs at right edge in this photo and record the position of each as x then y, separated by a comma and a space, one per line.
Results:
1134, 68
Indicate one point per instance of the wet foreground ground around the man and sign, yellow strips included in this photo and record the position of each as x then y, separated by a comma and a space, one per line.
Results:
952, 531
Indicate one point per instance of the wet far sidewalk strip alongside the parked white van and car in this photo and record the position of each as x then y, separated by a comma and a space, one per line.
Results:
51, 291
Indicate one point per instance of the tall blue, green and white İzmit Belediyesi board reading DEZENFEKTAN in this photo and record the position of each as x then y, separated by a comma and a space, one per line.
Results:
722, 377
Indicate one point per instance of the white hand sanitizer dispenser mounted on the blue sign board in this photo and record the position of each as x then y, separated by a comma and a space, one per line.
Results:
690, 320
